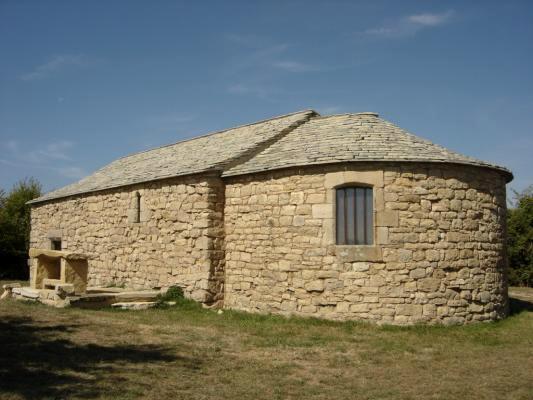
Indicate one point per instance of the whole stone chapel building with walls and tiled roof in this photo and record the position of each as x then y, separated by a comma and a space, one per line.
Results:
246, 218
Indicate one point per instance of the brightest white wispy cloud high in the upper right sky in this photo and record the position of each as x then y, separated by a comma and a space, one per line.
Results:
410, 25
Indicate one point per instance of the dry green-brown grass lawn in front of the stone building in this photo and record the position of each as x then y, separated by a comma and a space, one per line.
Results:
186, 352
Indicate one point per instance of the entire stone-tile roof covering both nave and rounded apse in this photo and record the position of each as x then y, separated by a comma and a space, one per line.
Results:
298, 139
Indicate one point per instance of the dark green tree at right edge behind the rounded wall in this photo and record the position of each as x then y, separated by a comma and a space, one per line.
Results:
520, 239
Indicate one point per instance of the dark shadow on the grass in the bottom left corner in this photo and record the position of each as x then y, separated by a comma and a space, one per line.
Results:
36, 362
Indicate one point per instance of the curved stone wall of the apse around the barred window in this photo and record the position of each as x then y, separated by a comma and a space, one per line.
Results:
438, 253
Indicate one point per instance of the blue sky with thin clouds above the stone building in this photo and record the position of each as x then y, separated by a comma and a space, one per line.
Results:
85, 82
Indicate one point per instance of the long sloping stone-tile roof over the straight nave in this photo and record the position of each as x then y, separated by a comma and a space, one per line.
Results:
209, 152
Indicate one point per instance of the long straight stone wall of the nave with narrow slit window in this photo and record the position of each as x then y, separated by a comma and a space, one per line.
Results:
178, 240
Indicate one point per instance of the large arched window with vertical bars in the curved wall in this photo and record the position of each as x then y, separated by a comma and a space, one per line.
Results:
354, 211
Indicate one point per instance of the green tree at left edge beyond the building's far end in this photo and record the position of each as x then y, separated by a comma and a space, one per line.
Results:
15, 227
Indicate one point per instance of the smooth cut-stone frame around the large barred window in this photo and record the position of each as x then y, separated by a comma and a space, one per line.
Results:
382, 218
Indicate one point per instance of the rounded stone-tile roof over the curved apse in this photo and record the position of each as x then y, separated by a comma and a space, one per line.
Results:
350, 138
